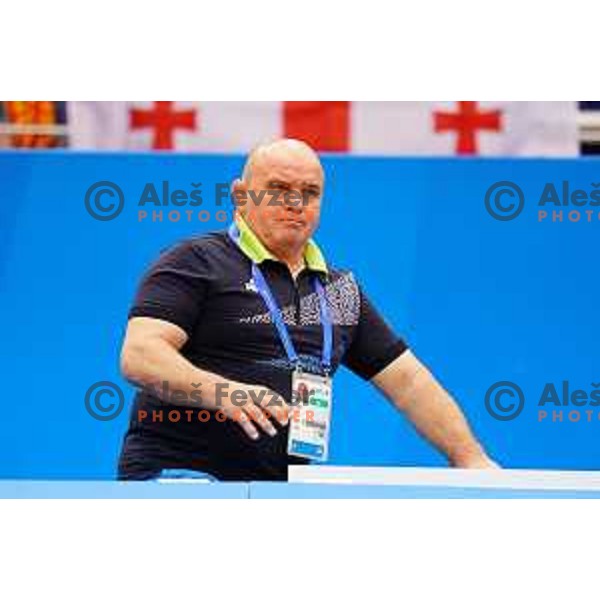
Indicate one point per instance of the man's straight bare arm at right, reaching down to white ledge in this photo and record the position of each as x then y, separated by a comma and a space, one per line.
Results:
435, 415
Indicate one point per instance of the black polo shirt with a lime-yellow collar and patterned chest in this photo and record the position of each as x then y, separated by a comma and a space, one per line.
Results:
204, 285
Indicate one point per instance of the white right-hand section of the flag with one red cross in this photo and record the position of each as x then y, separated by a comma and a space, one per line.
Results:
465, 128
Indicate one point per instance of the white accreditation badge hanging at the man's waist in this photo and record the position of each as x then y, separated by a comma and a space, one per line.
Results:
310, 418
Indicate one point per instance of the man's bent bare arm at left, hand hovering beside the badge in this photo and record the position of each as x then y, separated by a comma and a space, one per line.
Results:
150, 356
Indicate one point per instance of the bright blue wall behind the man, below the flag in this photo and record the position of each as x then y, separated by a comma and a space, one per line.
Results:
479, 300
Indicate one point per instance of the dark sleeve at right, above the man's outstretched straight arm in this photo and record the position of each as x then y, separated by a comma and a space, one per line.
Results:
374, 345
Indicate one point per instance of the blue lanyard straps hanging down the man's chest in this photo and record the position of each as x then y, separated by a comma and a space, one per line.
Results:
265, 291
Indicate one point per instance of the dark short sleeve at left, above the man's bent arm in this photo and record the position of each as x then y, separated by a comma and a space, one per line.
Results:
174, 288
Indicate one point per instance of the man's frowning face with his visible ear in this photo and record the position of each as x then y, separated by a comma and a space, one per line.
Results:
283, 198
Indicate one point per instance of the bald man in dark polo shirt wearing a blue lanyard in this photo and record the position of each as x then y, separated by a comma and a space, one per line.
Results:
247, 316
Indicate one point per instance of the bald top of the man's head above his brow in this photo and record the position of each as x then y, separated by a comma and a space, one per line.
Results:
282, 151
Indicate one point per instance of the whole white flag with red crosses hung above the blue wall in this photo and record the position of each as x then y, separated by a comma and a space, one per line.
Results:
462, 128
